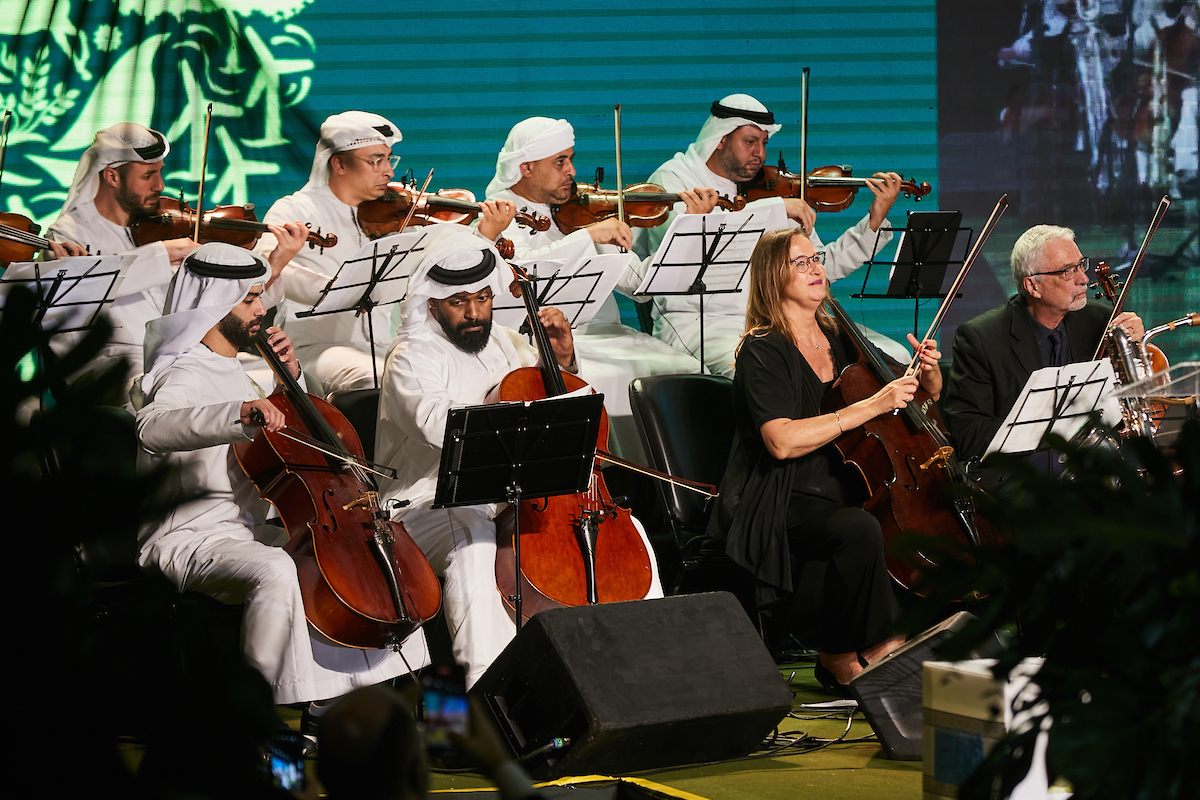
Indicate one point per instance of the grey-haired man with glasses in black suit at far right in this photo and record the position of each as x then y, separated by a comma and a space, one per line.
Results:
1049, 322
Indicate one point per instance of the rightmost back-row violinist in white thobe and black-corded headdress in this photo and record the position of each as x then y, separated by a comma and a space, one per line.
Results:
731, 149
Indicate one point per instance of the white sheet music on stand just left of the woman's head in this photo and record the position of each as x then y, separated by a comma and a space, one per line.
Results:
691, 239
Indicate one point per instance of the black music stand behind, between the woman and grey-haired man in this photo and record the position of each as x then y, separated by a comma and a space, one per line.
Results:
929, 245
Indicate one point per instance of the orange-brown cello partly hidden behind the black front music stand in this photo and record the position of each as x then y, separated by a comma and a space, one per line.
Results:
554, 570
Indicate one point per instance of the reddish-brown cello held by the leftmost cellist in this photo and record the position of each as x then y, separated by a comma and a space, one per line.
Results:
365, 582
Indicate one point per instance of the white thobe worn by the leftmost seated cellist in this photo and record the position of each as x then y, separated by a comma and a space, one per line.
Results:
217, 545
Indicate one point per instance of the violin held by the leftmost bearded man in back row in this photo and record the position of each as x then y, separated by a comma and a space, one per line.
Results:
233, 225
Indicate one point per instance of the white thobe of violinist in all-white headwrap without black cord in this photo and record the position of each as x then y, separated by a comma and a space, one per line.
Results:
610, 354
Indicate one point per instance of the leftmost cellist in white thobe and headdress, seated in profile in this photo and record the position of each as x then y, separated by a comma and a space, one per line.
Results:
199, 402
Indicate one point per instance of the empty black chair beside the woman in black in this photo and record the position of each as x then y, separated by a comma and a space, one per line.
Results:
687, 428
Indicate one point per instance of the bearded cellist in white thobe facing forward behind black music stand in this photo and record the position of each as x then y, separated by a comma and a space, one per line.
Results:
449, 354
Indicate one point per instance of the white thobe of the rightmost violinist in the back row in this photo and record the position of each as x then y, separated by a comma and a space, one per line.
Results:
677, 317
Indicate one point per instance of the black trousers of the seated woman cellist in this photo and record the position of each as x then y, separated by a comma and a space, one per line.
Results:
859, 606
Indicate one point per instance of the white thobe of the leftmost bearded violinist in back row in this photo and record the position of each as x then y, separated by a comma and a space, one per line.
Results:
129, 314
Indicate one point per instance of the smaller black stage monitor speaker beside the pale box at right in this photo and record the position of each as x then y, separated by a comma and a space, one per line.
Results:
890, 691
